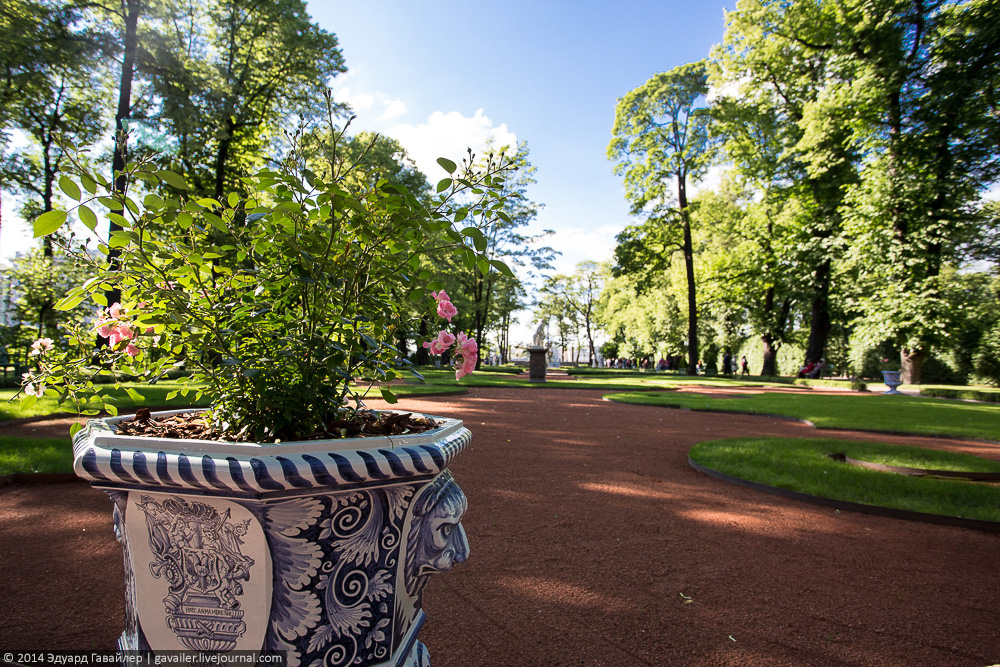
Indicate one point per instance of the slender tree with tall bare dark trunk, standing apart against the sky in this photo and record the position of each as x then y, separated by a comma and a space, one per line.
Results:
661, 139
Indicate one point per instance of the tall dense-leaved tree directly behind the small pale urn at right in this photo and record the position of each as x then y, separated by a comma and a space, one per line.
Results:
923, 77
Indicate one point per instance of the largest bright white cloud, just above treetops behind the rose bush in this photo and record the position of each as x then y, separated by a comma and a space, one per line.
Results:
449, 135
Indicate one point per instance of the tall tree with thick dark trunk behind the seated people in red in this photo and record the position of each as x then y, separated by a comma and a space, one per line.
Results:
772, 71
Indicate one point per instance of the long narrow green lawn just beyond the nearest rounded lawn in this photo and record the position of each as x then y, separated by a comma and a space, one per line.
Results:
868, 412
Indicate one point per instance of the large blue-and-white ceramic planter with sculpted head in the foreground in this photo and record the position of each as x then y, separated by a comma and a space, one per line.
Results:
319, 548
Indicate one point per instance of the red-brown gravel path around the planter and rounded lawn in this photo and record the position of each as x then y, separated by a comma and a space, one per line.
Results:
594, 543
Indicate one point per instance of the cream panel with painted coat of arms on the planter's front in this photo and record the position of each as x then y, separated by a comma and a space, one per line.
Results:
208, 558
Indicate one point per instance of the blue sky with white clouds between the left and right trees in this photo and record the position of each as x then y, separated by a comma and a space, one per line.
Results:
439, 76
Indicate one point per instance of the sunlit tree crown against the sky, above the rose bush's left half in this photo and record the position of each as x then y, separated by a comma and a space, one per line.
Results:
226, 75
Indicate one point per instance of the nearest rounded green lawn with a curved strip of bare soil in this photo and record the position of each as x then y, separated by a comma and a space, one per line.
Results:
803, 465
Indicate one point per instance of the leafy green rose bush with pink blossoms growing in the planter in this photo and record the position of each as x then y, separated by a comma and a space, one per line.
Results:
272, 299
